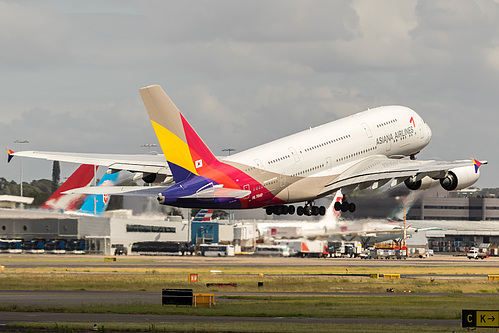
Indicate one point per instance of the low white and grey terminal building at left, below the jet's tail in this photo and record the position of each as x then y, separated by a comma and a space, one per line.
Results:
99, 234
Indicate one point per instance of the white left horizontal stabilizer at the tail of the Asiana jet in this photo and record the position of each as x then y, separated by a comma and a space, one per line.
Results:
137, 191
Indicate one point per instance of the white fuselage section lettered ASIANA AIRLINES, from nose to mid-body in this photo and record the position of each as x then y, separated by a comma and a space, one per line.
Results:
384, 130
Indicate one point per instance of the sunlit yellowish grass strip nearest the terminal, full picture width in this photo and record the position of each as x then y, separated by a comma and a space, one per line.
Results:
275, 280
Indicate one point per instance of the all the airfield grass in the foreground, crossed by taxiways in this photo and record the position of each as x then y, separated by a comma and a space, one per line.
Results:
422, 304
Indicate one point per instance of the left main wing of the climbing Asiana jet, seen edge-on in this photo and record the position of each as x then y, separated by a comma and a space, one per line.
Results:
135, 163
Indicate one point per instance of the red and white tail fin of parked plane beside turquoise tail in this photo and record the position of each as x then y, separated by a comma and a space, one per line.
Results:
80, 178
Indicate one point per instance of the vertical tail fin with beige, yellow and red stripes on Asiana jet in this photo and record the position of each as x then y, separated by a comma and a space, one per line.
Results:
186, 153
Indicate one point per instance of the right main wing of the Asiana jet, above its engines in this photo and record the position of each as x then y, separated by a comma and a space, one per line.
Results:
378, 170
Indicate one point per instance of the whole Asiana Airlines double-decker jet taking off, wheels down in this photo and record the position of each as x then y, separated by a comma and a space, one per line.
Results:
366, 150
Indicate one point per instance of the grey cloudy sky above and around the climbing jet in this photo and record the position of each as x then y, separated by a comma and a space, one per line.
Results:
244, 72
